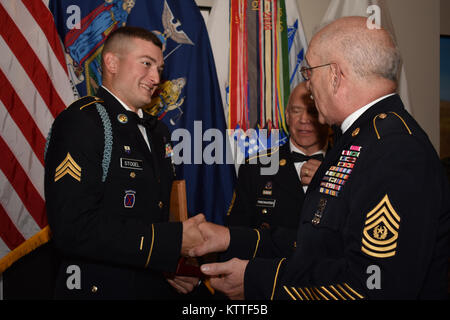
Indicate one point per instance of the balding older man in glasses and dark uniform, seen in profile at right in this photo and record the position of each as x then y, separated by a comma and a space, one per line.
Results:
376, 219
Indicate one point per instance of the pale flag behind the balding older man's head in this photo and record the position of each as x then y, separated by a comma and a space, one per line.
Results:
378, 12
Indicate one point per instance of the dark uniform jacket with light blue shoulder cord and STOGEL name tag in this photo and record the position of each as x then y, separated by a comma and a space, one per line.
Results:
107, 196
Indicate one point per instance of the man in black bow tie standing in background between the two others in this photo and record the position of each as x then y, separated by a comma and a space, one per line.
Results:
267, 201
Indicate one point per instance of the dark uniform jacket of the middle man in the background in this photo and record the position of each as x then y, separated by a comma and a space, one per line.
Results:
268, 203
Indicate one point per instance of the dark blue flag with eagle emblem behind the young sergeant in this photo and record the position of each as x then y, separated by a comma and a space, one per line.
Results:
188, 99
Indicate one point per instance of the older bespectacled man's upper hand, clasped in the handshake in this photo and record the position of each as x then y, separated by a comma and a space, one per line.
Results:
216, 239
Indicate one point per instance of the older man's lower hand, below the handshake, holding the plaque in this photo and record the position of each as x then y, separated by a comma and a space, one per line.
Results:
227, 277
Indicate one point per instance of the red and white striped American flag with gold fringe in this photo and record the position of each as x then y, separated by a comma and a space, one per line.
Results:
34, 89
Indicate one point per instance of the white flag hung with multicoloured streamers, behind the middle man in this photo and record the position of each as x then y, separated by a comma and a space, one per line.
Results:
258, 48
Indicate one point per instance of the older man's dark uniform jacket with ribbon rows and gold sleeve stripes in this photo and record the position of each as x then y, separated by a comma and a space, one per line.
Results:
375, 222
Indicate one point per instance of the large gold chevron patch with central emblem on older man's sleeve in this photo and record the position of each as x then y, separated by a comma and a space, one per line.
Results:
380, 233
